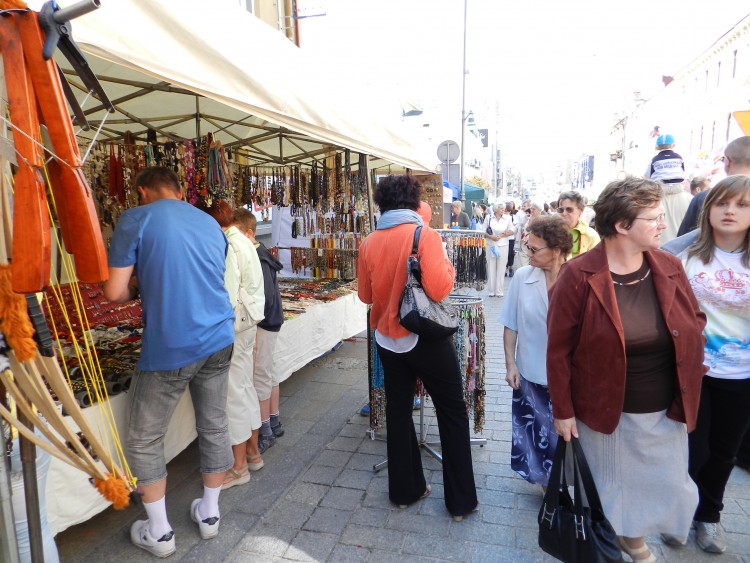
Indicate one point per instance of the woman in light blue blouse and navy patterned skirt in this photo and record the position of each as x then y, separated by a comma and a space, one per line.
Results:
524, 317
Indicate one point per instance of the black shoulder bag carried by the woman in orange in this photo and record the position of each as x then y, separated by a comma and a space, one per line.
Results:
416, 311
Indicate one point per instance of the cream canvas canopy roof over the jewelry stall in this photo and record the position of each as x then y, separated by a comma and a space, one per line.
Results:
185, 68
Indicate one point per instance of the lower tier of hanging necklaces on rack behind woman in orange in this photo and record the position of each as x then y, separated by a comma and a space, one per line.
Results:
469, 342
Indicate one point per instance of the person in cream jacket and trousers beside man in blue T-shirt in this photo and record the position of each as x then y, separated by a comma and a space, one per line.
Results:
243, 408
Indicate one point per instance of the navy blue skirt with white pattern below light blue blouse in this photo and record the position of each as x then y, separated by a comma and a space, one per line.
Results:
534, 437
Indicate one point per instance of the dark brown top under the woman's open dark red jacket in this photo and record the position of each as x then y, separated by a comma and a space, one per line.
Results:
650, 376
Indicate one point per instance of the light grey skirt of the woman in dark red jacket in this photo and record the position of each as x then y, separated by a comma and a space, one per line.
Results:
641, 473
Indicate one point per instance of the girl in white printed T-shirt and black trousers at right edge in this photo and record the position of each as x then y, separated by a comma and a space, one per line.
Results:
717, 263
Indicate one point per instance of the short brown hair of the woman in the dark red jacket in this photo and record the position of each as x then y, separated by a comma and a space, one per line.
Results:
621, 201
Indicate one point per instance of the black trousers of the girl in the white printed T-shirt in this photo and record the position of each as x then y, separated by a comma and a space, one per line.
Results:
723, 419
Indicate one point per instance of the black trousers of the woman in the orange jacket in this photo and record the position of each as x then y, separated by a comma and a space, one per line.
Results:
436, 364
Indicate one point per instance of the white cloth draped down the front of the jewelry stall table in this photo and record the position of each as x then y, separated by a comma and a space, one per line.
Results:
71, 499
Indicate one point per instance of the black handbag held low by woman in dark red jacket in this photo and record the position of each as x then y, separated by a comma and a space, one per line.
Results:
569, 531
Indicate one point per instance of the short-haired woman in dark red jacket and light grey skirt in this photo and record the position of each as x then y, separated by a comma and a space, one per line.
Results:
624, 366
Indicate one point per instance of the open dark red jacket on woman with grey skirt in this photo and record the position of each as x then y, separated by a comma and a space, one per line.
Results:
586, 344
